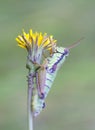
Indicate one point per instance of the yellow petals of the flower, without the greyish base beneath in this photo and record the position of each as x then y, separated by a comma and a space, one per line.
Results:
37, 40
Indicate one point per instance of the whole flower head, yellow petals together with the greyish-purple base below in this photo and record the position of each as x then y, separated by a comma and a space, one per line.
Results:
36, 44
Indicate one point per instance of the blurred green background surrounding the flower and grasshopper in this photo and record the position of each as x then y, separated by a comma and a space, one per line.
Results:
71, 101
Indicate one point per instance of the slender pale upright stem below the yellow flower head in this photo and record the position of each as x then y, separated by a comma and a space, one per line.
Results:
30, 91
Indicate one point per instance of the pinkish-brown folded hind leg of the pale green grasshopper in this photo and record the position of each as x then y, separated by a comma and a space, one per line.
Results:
41, 78
